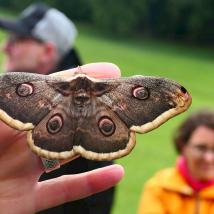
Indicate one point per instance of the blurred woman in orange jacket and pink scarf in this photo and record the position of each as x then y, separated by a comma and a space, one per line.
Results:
189, 186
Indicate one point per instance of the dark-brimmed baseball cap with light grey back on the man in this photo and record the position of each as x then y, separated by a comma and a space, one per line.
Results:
45, 24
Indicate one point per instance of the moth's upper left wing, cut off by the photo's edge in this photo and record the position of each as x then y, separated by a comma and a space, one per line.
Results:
25, 98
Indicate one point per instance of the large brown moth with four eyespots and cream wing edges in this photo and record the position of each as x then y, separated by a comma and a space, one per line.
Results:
94, 118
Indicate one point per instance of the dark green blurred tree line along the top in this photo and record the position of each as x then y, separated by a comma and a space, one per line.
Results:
190, 20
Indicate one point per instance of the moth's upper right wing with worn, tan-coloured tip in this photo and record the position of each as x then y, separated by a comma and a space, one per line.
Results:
144, 103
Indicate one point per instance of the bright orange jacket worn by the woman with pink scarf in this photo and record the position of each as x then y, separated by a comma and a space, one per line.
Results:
168, 193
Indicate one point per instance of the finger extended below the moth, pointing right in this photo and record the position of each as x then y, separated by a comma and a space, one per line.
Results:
66, 188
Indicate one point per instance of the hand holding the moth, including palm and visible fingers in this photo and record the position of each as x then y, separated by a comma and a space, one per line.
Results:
20, 191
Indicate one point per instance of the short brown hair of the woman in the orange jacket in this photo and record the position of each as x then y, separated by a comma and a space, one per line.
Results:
200, 118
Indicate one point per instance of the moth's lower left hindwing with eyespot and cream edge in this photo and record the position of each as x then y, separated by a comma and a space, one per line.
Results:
53, 136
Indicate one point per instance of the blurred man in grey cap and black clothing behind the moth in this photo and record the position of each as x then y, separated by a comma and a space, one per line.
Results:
41, 40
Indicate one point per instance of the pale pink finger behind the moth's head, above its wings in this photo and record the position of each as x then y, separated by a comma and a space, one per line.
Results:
96, 70
